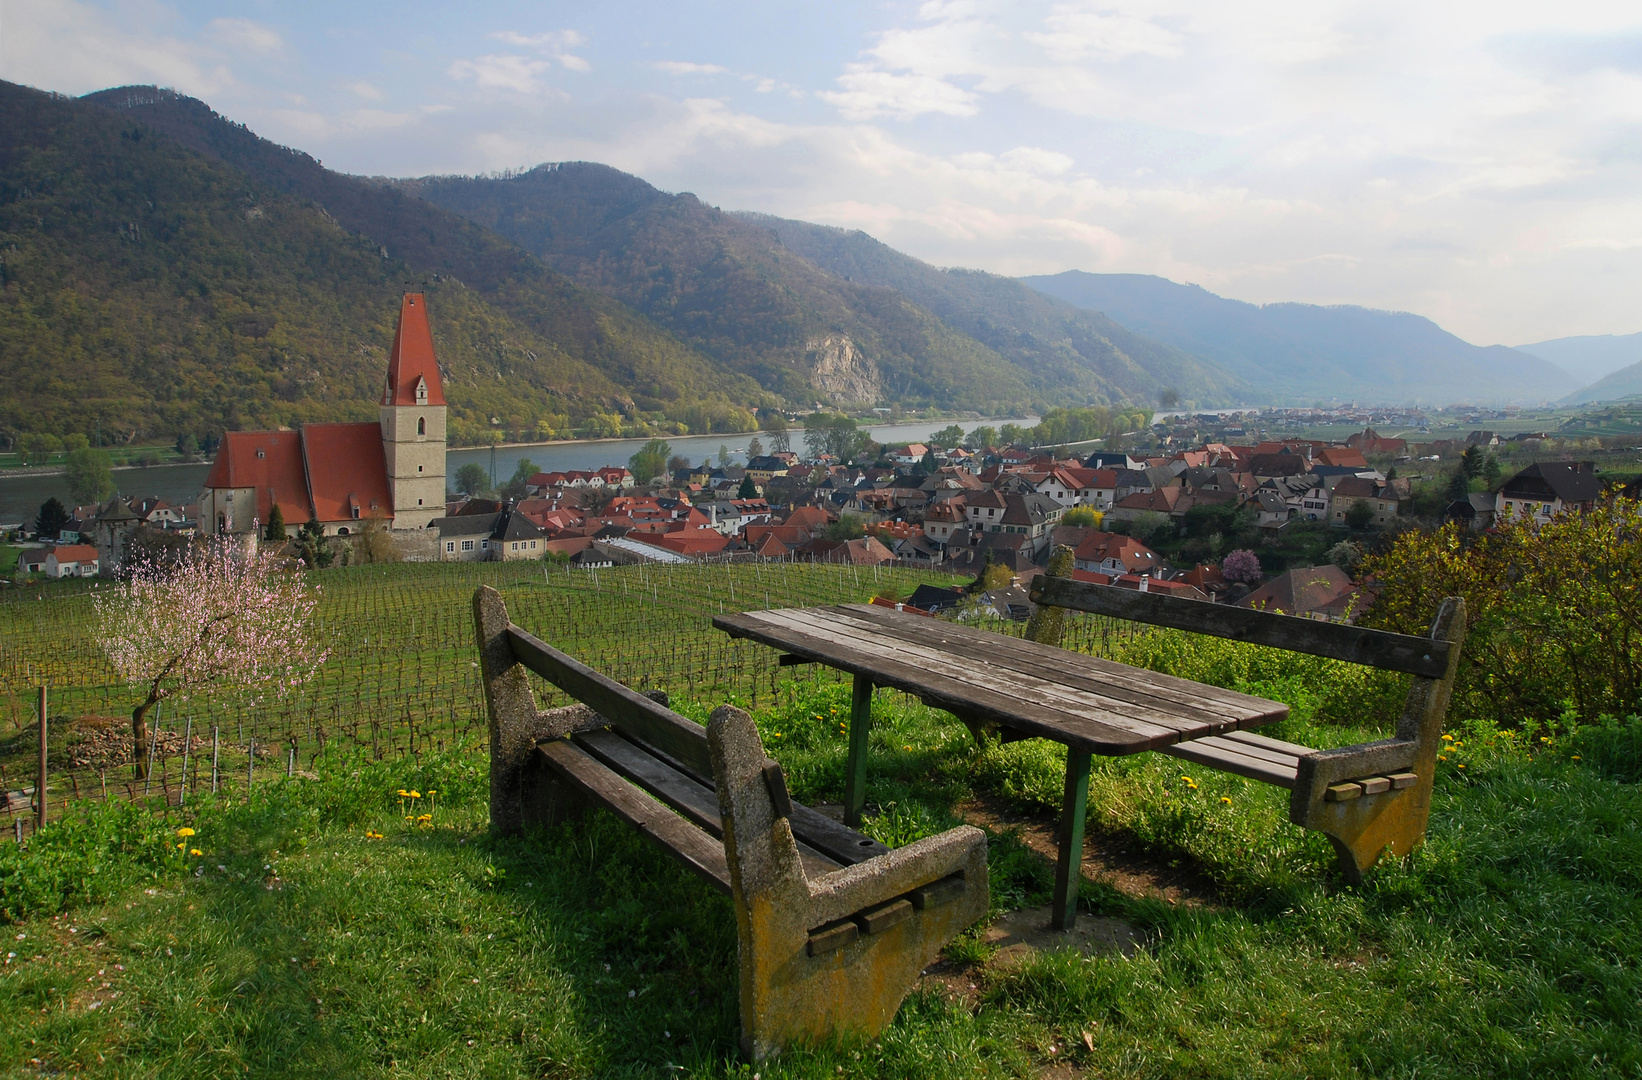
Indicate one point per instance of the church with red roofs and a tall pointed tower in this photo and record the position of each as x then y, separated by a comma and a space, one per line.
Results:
342, 475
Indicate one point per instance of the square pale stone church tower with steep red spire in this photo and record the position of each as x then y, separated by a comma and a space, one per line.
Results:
415, 421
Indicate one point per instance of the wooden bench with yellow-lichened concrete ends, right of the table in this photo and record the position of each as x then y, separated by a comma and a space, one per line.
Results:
1365, 799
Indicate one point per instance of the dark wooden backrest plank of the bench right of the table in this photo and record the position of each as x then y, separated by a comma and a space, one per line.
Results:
1377, 649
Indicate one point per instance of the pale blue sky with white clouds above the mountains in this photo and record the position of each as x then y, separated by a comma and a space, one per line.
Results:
1479, 163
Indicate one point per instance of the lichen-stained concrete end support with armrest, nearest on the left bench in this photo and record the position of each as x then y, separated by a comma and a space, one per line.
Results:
833, 956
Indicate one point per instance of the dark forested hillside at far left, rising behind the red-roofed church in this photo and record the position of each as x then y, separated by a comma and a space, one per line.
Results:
154, 290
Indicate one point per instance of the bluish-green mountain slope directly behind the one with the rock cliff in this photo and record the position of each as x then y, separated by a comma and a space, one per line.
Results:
1058, 342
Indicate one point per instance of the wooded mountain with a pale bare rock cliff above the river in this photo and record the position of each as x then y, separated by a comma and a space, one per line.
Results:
733, 288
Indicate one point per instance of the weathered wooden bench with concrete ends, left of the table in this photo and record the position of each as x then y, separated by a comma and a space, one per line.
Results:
833, 928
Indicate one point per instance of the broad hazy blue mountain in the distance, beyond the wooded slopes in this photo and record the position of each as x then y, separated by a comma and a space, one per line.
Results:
1298, 354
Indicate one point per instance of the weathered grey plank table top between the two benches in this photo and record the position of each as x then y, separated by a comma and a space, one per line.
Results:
1032, 690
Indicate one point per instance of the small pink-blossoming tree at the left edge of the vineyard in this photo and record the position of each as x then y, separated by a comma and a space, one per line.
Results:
221, 616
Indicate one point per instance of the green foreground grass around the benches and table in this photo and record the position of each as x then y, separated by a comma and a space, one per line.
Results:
300, 945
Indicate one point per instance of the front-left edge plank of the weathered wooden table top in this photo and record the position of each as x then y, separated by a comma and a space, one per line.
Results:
966, 702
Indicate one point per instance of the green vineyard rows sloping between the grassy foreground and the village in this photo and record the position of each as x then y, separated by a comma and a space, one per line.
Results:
401, 677
